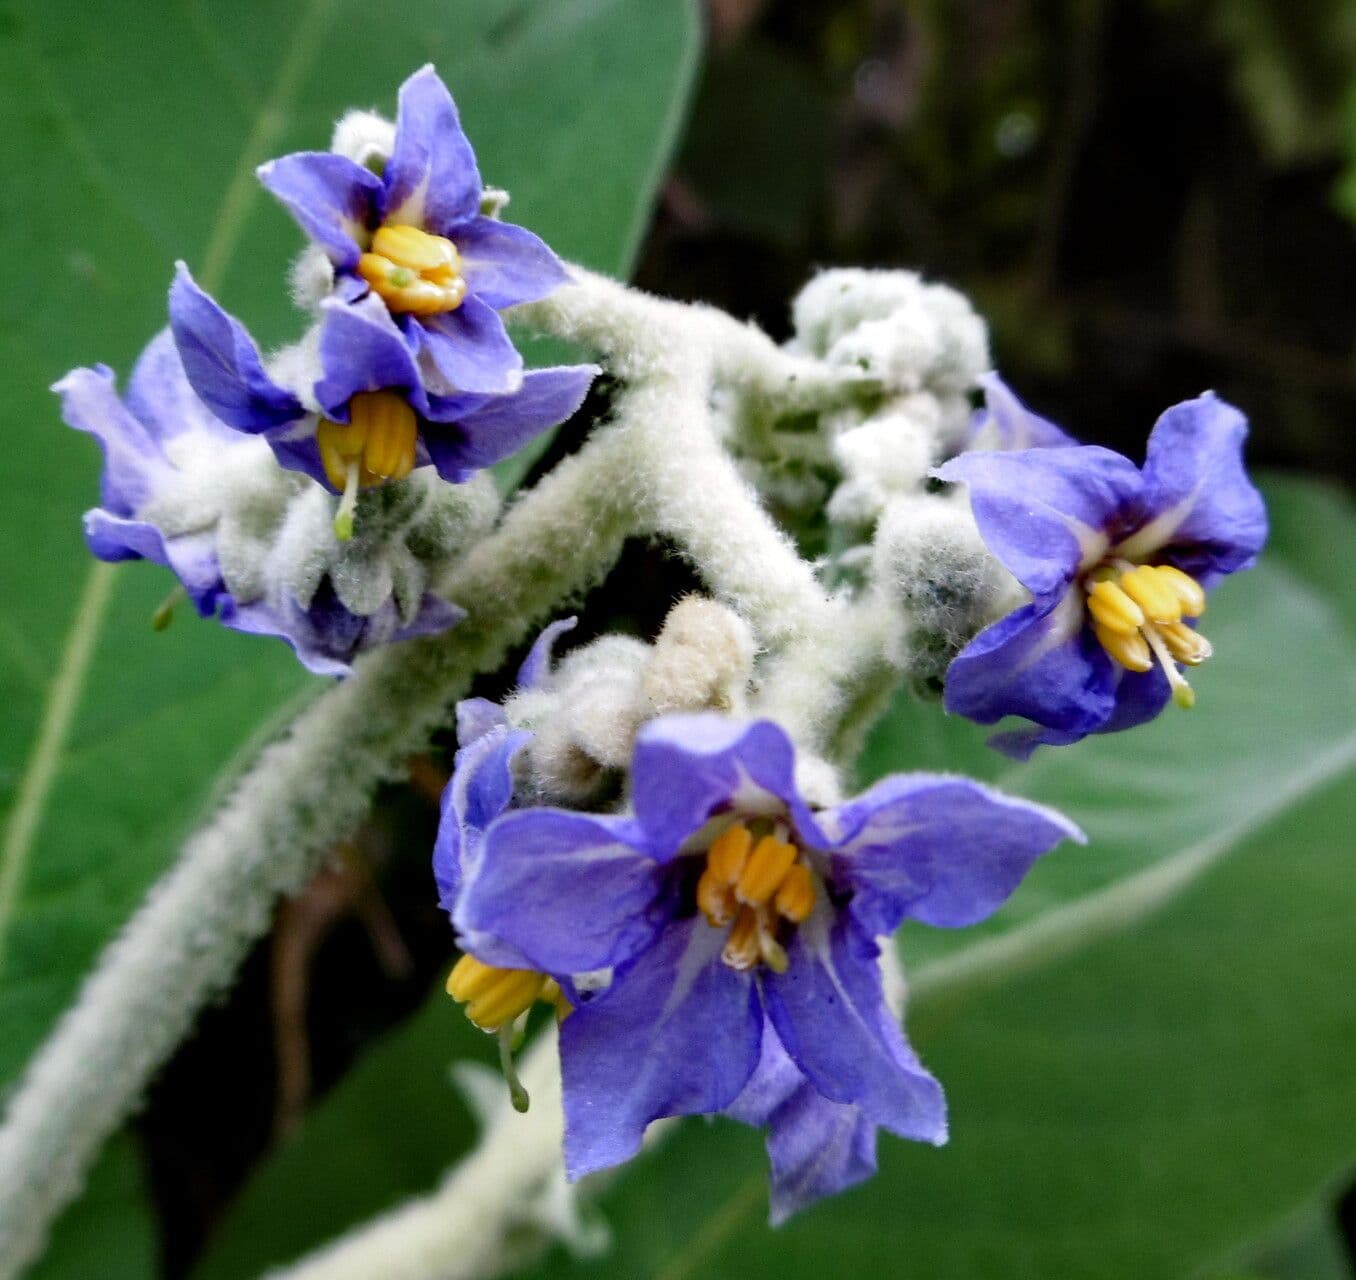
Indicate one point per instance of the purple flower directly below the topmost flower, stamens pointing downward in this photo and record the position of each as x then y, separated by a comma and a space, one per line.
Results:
361, 414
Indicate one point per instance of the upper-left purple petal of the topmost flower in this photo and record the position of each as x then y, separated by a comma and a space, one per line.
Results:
334, 200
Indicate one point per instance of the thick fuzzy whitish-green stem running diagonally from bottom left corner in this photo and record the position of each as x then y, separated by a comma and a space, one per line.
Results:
306, 793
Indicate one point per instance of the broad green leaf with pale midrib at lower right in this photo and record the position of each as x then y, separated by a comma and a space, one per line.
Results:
1149, 1058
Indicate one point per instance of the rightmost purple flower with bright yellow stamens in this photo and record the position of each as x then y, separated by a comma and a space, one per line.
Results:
1118, 562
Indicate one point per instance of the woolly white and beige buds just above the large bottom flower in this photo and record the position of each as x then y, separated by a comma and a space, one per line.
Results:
586, 717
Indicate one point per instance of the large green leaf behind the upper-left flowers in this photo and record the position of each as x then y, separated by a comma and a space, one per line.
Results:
135, 144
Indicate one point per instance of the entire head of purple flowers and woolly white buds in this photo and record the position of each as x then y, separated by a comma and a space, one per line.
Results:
635, 836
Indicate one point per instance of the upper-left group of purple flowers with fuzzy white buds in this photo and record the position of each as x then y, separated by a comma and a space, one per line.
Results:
222, 464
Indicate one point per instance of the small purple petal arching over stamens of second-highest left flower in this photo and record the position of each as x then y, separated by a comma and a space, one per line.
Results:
363, 351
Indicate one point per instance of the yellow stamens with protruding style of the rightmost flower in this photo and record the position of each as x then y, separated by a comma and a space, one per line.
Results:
1138, 618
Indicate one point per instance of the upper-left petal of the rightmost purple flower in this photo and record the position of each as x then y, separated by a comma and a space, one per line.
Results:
1048, 513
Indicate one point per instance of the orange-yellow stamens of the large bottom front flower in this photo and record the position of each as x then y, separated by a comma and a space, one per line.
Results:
755, 887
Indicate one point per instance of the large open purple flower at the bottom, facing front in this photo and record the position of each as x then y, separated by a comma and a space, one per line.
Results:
737, 924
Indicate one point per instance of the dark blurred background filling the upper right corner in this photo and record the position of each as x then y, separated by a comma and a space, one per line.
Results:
1146, 199
